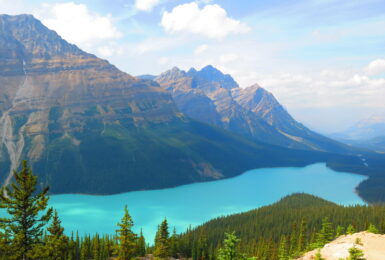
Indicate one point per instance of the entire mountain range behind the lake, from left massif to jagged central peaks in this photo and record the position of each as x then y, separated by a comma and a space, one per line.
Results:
87, 127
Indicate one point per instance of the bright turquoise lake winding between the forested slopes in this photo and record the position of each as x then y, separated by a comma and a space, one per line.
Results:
196, 203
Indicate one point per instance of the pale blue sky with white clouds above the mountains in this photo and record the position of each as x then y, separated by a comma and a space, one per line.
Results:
324, 60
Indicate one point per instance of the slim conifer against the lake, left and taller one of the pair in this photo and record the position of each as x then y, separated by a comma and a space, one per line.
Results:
126, 237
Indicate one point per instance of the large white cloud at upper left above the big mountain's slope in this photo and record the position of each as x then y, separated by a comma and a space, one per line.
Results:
77, 24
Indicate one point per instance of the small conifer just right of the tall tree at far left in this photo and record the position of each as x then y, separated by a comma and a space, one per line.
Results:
57, 244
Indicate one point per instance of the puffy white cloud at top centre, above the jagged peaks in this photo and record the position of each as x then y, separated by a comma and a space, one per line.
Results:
211, 21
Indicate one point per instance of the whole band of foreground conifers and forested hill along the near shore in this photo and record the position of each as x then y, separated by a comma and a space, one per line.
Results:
282, 231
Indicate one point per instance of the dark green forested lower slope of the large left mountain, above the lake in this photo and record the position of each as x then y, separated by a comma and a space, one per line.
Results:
115, 158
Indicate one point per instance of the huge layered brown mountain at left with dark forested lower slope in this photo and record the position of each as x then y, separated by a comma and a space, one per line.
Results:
87, 127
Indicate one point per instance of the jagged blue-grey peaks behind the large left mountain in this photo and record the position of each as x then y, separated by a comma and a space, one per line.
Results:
212, 97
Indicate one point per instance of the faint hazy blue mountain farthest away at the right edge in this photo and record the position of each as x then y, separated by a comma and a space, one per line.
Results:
366, 129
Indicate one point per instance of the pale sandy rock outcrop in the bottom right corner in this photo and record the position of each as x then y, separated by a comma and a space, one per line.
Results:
373, 246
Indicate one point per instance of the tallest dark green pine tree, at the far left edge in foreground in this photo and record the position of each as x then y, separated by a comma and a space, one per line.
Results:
28, 213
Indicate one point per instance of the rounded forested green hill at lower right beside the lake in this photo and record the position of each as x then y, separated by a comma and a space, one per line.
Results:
291, 223
